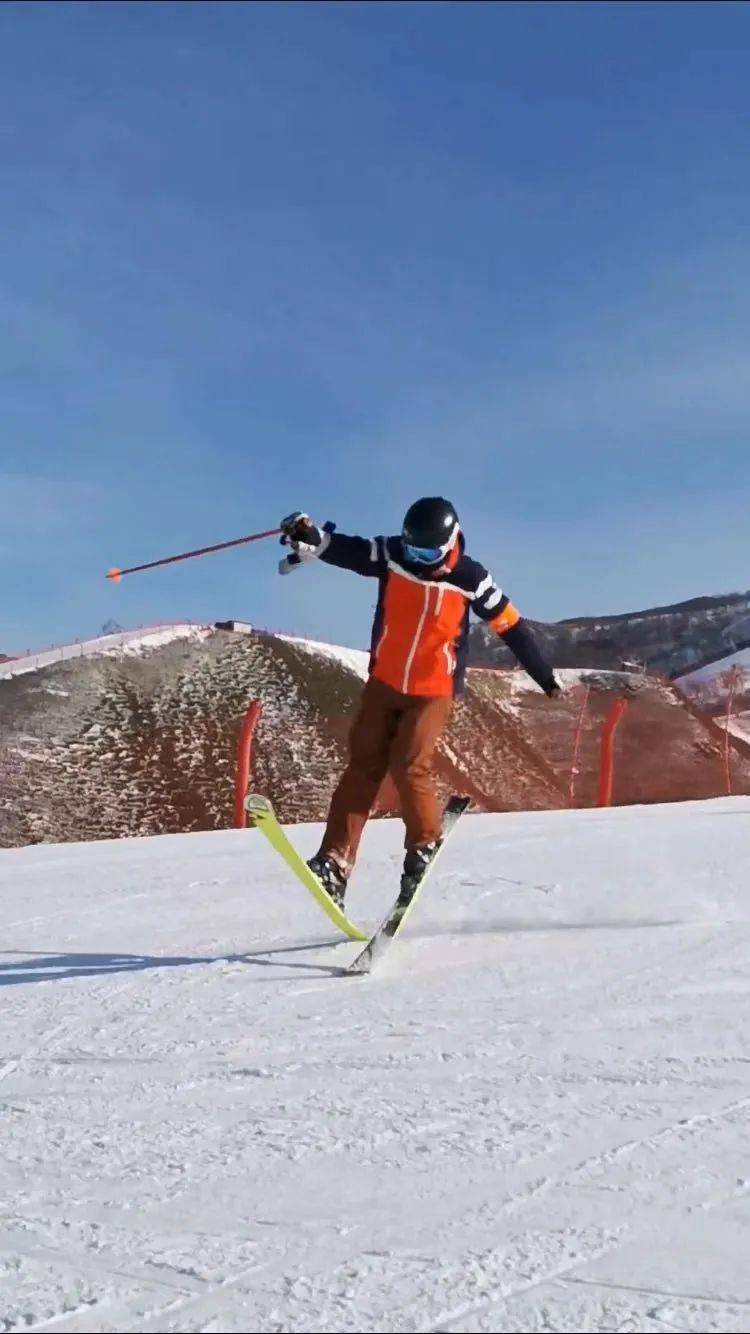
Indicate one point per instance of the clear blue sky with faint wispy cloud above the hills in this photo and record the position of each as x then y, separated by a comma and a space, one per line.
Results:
336, 257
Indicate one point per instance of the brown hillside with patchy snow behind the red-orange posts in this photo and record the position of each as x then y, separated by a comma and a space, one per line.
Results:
145, 742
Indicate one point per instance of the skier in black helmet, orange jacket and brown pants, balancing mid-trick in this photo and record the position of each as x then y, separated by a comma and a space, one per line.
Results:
428, 586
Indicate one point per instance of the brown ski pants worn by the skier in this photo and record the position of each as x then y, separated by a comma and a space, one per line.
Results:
396, 733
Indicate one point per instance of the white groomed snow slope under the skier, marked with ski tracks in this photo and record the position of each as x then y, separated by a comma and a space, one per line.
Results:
534, 1117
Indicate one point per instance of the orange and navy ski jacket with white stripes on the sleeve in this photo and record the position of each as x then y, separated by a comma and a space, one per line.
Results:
421, 629
